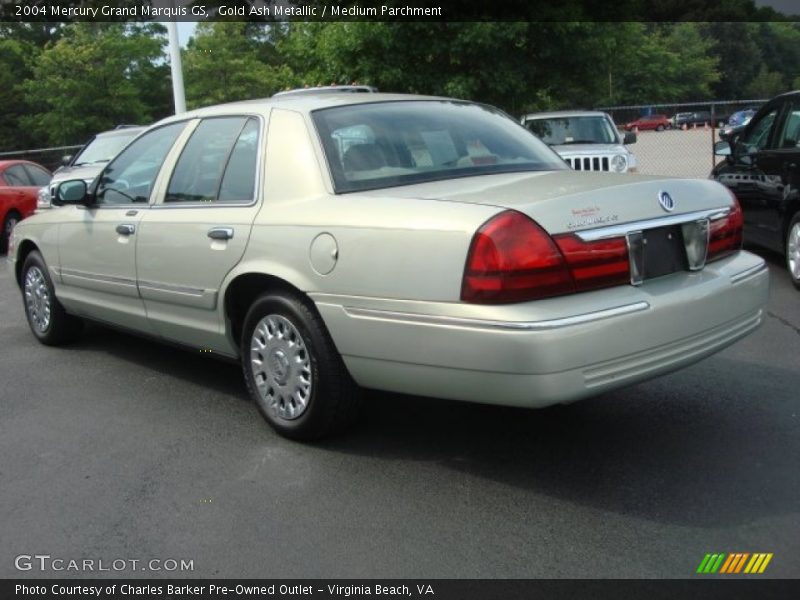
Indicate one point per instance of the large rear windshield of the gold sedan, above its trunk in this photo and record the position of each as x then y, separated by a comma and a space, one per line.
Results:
386, 144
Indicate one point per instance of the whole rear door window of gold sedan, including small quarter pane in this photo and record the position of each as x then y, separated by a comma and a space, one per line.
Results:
218, 163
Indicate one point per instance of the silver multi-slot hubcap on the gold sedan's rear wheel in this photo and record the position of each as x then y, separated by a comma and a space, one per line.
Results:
281, 367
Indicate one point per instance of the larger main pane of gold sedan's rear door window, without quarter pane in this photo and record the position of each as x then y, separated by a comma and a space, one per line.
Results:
198, 174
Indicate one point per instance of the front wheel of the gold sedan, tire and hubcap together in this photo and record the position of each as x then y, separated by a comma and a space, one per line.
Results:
38, 292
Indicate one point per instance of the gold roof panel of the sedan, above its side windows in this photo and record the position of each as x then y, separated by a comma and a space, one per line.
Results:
303, 103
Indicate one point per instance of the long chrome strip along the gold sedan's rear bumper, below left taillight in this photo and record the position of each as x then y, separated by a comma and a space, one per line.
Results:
546, 325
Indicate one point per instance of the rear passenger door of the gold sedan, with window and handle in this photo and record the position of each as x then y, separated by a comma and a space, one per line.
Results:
199, 228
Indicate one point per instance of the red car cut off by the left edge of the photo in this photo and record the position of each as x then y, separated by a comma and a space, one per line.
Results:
20, 181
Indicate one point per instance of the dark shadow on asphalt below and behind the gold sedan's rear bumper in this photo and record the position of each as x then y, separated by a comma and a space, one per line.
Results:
682, 449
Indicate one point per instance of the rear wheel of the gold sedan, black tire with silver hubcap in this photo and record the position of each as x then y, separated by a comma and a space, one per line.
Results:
329, 403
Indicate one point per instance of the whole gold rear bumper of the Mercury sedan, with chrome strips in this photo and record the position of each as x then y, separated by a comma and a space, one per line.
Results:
548, 351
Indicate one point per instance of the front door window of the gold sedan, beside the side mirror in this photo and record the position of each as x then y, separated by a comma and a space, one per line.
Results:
129, 178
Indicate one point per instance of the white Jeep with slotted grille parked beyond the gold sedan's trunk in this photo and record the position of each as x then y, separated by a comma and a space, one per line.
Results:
586, 140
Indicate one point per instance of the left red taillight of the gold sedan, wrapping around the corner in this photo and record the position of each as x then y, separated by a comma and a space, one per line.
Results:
512, 259
